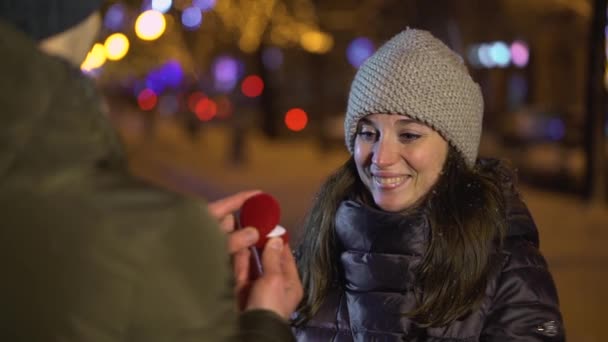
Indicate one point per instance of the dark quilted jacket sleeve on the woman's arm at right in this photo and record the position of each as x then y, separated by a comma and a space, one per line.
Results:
525, 305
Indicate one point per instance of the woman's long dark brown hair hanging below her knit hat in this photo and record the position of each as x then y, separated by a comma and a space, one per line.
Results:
466, 210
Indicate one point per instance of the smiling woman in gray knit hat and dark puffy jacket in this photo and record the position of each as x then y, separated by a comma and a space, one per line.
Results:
414, 238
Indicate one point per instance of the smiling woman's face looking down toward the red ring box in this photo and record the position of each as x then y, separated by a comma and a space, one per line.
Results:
398, 159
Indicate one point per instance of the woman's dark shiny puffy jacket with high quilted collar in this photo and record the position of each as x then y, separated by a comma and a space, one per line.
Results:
381, 251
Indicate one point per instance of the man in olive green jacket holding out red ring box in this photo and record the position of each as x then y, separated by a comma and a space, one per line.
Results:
87, 252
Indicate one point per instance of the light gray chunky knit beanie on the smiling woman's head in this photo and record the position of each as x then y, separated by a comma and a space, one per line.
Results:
415, 74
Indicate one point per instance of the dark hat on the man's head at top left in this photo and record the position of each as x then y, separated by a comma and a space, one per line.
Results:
41, 19
